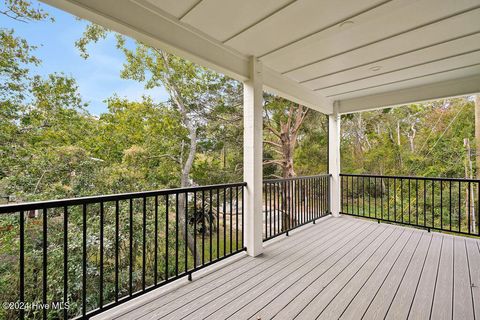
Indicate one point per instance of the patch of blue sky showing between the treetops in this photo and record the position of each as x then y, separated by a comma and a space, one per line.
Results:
98, 77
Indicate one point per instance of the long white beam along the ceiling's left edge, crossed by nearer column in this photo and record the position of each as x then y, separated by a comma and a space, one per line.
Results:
143, 22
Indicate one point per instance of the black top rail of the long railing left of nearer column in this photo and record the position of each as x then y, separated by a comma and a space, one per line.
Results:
49, 204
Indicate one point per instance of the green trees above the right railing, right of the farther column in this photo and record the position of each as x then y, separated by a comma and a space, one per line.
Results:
422, 139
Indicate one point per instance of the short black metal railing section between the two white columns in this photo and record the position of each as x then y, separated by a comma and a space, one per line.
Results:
290, 203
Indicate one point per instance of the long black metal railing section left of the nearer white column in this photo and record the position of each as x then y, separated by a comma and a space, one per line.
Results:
82, 256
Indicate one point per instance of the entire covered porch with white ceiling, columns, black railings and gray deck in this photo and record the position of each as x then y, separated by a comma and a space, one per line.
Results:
292, 252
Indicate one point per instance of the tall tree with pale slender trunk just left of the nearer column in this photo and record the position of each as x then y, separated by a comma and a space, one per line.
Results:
194, 93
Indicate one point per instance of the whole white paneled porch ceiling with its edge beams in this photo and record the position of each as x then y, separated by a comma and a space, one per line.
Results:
356, 54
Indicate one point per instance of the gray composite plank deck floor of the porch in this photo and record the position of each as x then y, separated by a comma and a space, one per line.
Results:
339, 268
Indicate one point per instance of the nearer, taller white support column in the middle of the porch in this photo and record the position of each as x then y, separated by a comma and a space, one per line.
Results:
253, 157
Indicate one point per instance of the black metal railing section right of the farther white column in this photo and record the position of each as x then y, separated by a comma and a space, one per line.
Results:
443, 204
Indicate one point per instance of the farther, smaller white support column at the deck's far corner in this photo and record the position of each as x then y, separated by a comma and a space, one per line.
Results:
334, 160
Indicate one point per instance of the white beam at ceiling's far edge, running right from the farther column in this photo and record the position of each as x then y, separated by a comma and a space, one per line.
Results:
438, 90
